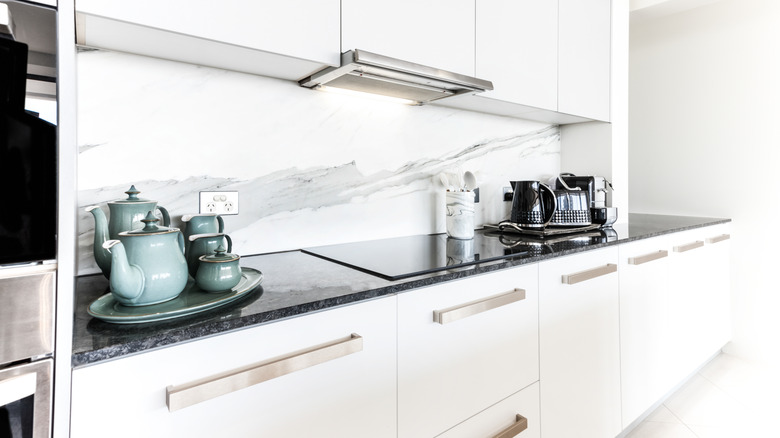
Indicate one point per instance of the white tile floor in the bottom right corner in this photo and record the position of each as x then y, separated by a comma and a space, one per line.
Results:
729, 397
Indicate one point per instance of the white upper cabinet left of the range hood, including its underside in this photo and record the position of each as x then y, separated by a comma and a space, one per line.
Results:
289, 39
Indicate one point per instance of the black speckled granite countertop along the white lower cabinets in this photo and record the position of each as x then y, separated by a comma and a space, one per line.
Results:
296, 283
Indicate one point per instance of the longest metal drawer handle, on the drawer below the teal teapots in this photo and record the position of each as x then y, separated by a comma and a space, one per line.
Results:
188, 394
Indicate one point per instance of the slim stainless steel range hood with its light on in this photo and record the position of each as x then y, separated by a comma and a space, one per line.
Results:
371, 73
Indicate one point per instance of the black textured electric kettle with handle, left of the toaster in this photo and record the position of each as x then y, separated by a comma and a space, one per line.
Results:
533, 204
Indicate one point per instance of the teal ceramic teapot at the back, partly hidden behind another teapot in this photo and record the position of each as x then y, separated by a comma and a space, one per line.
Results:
124, 215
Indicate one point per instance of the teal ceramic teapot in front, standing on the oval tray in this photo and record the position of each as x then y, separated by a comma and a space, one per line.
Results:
147, 265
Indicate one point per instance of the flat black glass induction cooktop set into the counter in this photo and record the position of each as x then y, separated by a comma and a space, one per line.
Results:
403, 257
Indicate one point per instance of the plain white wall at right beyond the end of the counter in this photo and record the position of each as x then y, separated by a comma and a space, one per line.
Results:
704, 93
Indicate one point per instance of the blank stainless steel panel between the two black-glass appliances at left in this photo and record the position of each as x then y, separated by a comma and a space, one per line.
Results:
26, 313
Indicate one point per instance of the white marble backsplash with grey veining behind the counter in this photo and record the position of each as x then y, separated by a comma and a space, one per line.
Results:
311, 168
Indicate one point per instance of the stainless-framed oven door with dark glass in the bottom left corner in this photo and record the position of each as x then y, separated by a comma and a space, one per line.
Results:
25, 400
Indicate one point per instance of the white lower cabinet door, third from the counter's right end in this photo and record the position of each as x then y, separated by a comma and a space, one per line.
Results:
645, 336
